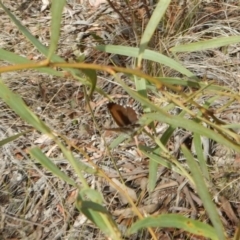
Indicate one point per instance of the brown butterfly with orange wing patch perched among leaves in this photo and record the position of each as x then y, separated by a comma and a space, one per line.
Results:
125, 117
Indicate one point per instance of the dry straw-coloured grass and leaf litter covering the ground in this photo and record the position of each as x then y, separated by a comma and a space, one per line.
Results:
37, 205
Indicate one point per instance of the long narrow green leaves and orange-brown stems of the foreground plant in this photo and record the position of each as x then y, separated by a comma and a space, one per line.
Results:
89, 201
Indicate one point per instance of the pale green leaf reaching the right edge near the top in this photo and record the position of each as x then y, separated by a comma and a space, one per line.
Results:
207, 44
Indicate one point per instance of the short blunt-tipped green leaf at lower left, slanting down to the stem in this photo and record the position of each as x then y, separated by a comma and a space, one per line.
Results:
48, 164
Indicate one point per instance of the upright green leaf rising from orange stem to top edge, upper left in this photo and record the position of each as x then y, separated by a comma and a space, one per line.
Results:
56, 12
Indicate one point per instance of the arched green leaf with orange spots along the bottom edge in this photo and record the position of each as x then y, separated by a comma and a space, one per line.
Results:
176, 221
